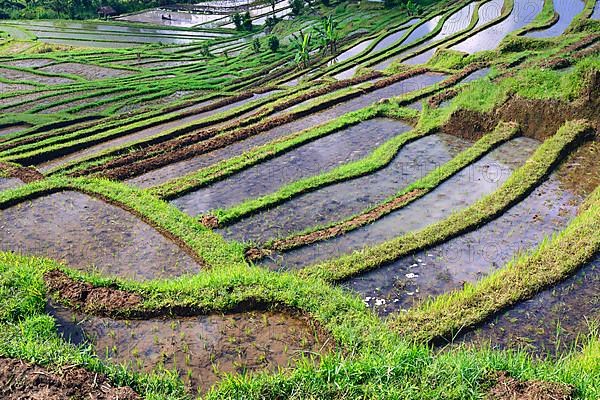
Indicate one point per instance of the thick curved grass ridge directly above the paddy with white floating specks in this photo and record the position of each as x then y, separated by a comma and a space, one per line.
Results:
519, 184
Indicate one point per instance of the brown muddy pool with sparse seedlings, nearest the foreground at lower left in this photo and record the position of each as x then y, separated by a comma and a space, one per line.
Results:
201, 349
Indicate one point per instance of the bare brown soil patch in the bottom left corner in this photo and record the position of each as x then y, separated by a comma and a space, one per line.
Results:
20, 380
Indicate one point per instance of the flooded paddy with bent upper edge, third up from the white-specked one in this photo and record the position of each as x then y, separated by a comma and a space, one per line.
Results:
342, 200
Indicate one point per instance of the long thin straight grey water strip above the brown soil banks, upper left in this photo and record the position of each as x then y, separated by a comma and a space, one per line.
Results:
151, 131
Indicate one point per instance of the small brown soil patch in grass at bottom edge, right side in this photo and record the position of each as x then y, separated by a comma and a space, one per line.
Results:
508, 388
